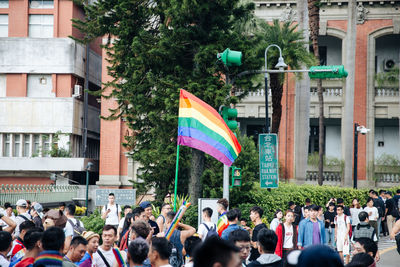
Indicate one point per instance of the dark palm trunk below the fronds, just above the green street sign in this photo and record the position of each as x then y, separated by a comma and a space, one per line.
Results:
276, 89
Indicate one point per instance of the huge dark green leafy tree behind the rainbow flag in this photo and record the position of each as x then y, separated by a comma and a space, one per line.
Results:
155, 48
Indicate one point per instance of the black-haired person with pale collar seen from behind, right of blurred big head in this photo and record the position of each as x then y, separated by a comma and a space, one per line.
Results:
267, 241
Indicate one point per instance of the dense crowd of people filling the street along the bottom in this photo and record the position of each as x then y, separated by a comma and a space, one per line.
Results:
307, 235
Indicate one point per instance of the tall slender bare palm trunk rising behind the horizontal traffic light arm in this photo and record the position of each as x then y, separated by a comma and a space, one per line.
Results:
313, 13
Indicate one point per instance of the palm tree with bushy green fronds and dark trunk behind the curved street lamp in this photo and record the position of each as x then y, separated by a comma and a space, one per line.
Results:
291, 41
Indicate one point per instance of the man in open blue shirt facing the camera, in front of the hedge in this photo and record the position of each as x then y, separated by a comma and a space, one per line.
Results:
311, 230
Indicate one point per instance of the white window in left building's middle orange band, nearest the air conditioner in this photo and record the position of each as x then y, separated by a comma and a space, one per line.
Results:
40, 85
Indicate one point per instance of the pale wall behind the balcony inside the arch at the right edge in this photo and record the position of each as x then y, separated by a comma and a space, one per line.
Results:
390, 137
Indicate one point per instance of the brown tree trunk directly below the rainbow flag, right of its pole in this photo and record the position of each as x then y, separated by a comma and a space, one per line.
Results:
196, 171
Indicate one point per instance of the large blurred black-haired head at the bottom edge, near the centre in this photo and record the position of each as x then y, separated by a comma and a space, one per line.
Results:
215, 252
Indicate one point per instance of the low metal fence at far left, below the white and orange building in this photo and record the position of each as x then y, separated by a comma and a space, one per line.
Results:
38, 193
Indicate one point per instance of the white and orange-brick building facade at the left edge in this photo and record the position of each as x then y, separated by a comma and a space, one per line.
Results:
42, 75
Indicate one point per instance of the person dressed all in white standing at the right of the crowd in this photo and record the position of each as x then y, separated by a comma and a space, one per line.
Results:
342, 233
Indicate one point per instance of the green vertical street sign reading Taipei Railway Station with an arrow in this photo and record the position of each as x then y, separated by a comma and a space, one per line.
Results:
269, 168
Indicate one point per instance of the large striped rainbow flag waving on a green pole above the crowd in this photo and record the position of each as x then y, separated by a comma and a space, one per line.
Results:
201, 127
